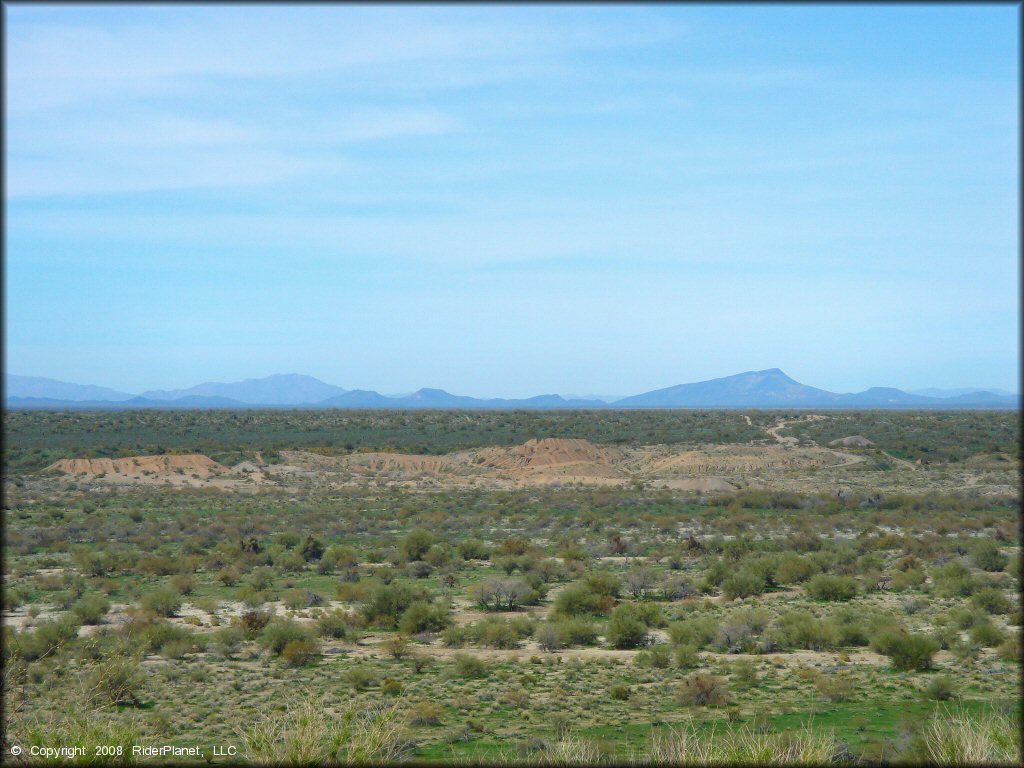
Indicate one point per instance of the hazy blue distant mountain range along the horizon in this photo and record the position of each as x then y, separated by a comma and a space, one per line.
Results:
754, 390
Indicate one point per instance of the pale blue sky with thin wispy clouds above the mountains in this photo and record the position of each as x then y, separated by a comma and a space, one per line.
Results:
507, 201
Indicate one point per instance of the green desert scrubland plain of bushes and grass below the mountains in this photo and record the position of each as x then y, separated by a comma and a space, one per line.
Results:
807, 613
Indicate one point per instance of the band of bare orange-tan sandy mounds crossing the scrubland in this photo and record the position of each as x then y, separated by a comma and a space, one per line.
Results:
554, 462
